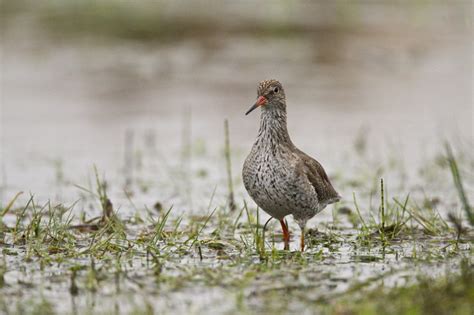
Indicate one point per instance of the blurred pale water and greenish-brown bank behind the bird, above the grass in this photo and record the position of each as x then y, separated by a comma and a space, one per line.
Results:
142, 88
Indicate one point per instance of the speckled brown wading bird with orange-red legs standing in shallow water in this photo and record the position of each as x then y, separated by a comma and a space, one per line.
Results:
280, 178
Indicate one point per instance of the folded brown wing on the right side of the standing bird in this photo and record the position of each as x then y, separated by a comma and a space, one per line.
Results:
319, 179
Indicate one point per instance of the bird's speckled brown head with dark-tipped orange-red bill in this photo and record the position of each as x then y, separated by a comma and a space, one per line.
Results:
270, 96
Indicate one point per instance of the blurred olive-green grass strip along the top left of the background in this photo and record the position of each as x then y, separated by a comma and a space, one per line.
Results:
151, 22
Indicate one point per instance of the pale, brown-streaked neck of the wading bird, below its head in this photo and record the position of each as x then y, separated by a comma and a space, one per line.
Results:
273, 128
